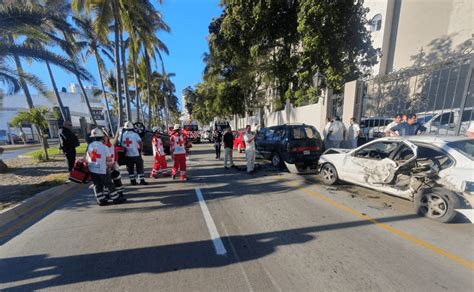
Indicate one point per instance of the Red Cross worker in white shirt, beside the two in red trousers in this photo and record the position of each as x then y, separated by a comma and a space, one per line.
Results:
132, 143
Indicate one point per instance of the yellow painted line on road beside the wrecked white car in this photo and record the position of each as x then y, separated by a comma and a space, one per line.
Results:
457, 259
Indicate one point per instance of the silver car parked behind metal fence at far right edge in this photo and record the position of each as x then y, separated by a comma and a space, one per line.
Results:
443, 122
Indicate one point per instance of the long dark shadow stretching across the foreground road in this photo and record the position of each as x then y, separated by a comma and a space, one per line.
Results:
66, 270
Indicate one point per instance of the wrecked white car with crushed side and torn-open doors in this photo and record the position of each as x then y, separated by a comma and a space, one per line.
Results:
436, 173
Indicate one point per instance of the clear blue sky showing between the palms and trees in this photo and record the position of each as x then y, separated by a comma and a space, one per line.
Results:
188, 20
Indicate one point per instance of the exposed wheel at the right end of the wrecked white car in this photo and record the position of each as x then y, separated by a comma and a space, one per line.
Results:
437, 204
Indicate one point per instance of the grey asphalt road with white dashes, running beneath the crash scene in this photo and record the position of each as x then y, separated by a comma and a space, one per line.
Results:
271, 231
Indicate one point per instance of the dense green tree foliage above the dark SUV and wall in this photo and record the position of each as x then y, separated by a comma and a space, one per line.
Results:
256, 45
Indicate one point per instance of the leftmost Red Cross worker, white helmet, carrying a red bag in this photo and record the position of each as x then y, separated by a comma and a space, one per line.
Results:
98, 161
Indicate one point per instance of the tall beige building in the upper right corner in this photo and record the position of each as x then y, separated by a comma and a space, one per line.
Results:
401, 28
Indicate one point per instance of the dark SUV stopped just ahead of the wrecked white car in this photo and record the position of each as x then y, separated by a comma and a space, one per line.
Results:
298, 146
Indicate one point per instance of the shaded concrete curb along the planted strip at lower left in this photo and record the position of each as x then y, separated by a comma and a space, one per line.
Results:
38, 201
